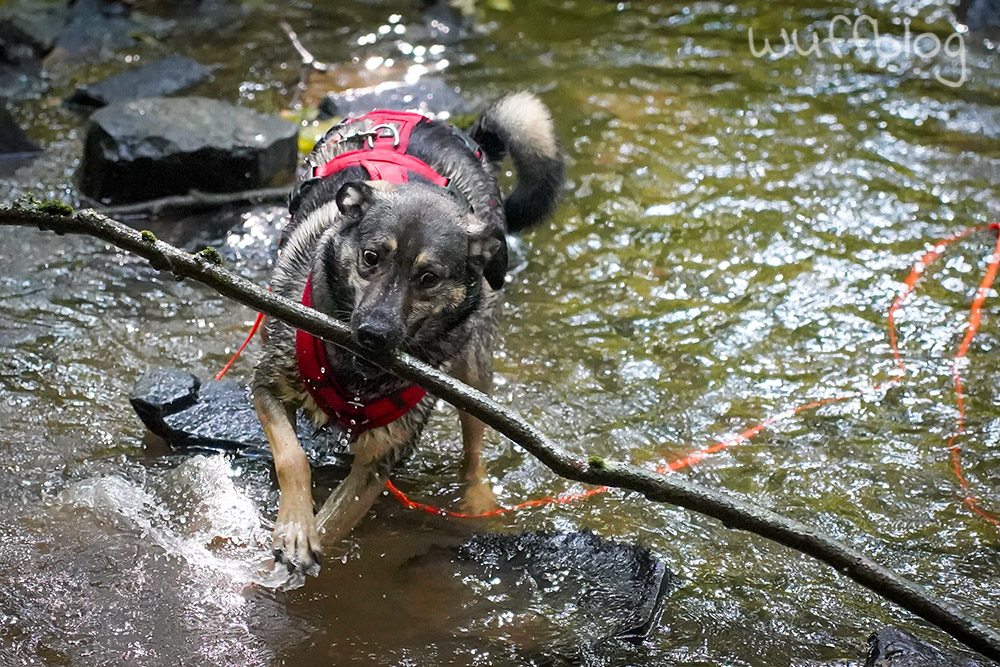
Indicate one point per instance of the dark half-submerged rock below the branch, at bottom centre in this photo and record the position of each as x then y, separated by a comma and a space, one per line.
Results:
569, 593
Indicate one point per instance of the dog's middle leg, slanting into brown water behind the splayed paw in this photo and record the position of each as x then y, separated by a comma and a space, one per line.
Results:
375, 455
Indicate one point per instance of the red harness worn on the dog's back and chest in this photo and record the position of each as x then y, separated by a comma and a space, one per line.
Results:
384, 157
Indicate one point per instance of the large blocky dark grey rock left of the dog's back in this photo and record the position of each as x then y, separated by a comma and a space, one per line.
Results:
155, 147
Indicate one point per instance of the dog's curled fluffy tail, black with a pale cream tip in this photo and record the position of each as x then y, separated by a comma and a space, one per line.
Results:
521, 126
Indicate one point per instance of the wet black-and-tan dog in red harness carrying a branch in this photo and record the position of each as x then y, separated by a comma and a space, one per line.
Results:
400, 232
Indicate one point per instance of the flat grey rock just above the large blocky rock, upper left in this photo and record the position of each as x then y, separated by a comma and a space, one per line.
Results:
168, 76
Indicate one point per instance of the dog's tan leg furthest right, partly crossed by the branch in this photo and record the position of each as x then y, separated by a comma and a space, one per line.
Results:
475, 368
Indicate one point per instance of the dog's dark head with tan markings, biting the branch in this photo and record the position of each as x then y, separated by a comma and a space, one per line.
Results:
409, 264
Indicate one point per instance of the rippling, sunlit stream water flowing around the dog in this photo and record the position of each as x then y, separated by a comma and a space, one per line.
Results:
733, 232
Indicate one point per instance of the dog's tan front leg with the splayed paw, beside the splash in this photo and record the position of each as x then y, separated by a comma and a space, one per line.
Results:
296, 540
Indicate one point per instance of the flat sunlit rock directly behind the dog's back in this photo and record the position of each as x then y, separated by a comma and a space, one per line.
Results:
429, 95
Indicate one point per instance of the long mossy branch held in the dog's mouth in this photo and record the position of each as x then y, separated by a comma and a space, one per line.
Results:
731, 512
